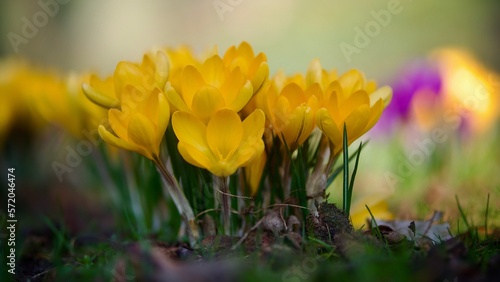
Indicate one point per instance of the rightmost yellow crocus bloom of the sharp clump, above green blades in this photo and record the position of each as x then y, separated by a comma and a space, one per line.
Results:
351, 101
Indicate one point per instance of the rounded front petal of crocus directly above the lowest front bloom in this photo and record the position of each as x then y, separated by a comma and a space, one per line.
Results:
206, 102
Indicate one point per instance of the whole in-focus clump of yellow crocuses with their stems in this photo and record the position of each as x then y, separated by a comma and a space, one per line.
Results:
228, 117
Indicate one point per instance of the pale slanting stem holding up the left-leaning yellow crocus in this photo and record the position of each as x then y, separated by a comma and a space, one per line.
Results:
180, 201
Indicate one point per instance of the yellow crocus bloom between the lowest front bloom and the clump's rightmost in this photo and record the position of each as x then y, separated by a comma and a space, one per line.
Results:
291, 110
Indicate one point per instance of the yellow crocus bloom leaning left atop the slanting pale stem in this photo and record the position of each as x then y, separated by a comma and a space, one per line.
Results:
139, 126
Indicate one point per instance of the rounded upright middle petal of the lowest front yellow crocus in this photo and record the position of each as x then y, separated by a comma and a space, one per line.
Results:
224, 133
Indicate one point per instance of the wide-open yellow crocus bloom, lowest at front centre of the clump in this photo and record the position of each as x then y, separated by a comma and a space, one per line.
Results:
224, 144
